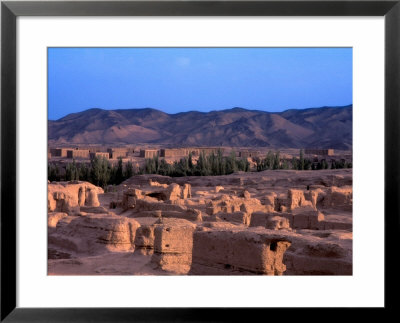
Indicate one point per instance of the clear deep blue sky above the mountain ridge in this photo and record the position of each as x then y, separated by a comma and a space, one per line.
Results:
203, 79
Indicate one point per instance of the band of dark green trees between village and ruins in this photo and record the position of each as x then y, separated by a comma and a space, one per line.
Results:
101, 172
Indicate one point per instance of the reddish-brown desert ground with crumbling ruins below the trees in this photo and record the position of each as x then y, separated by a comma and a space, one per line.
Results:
272, 222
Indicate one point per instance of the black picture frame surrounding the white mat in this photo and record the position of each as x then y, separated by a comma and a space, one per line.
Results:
10, 10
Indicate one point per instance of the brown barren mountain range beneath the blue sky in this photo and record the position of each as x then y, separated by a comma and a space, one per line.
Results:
325, 127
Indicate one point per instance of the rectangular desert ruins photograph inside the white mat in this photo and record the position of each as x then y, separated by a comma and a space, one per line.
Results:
200, 161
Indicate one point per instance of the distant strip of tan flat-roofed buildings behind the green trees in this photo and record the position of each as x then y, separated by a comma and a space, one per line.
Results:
138, 155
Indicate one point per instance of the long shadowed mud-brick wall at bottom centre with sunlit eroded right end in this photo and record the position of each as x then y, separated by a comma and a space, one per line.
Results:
240, 252
